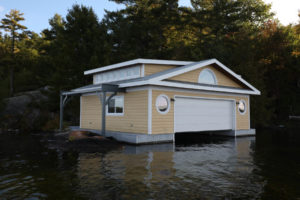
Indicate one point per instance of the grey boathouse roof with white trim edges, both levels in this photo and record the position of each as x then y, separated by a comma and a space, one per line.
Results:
161, 79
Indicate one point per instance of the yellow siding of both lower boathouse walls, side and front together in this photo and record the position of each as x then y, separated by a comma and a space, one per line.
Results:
135, 118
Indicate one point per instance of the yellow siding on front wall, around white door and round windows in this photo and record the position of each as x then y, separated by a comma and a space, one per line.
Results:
164, 123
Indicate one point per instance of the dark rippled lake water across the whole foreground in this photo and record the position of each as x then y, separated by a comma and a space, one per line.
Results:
195, 167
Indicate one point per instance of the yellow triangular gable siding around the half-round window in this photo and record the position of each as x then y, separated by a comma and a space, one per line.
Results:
222, 78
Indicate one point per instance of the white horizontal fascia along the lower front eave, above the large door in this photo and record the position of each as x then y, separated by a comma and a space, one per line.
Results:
187, 86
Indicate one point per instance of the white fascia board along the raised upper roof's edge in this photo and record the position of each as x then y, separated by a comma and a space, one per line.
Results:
137, 61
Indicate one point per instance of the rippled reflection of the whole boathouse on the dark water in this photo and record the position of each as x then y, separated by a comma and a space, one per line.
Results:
138, 170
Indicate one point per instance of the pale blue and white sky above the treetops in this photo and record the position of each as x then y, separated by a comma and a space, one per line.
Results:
38, 12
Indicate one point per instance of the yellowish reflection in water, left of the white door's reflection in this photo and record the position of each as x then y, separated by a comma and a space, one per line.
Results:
134, 172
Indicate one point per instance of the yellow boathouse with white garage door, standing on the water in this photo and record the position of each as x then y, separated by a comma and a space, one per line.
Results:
146, 100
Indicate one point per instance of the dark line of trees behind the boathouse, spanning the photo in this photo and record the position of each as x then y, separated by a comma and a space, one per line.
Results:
242, 34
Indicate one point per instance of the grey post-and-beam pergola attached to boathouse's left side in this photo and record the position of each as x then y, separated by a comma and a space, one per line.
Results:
101, 90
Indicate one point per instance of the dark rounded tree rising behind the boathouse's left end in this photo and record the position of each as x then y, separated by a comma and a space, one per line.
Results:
78, 45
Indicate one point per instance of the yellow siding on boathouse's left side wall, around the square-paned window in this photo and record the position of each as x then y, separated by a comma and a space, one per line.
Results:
134, 120
